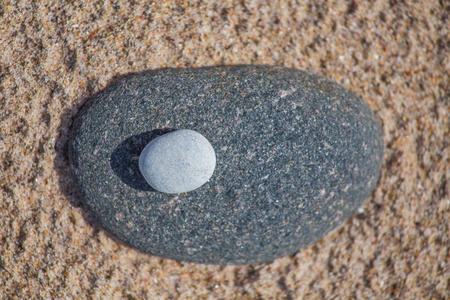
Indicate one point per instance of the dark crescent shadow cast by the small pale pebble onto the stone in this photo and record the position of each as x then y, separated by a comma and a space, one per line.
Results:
125, 159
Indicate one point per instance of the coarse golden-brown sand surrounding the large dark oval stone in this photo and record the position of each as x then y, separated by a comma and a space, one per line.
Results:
55, 54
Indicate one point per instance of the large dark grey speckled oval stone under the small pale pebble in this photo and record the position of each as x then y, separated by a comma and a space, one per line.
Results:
296, 155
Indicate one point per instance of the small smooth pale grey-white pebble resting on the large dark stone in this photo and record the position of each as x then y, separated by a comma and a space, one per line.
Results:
178, 162
